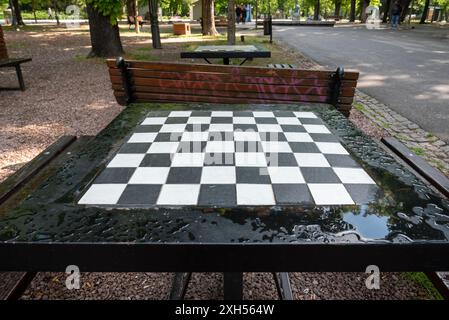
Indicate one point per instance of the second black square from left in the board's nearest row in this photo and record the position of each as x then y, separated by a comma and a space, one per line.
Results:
217, 195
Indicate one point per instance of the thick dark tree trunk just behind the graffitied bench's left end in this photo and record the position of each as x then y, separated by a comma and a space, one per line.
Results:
104, 36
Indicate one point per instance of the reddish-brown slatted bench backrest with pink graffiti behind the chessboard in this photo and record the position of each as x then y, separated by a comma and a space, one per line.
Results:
141, 81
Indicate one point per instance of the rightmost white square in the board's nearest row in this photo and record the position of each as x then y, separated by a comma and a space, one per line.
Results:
330, 194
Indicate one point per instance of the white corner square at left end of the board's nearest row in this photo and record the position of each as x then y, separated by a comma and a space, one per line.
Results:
103, 194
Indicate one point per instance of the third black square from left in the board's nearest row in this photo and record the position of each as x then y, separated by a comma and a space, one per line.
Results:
292, 194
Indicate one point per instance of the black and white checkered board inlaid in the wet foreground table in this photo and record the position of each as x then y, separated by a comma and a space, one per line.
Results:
231, 158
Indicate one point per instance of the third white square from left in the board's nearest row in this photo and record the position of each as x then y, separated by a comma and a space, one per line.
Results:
255, 194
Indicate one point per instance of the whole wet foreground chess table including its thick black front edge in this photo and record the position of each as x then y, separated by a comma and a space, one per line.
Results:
226, 188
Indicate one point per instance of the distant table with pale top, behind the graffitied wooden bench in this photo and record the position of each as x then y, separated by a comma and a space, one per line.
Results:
227, 52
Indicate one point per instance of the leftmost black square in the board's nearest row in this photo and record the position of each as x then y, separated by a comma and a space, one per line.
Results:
140, 194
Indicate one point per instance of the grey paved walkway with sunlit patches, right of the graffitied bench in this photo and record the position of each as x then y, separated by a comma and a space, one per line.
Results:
408, 70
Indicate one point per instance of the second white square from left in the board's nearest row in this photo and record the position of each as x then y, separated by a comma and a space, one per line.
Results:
179, 194
